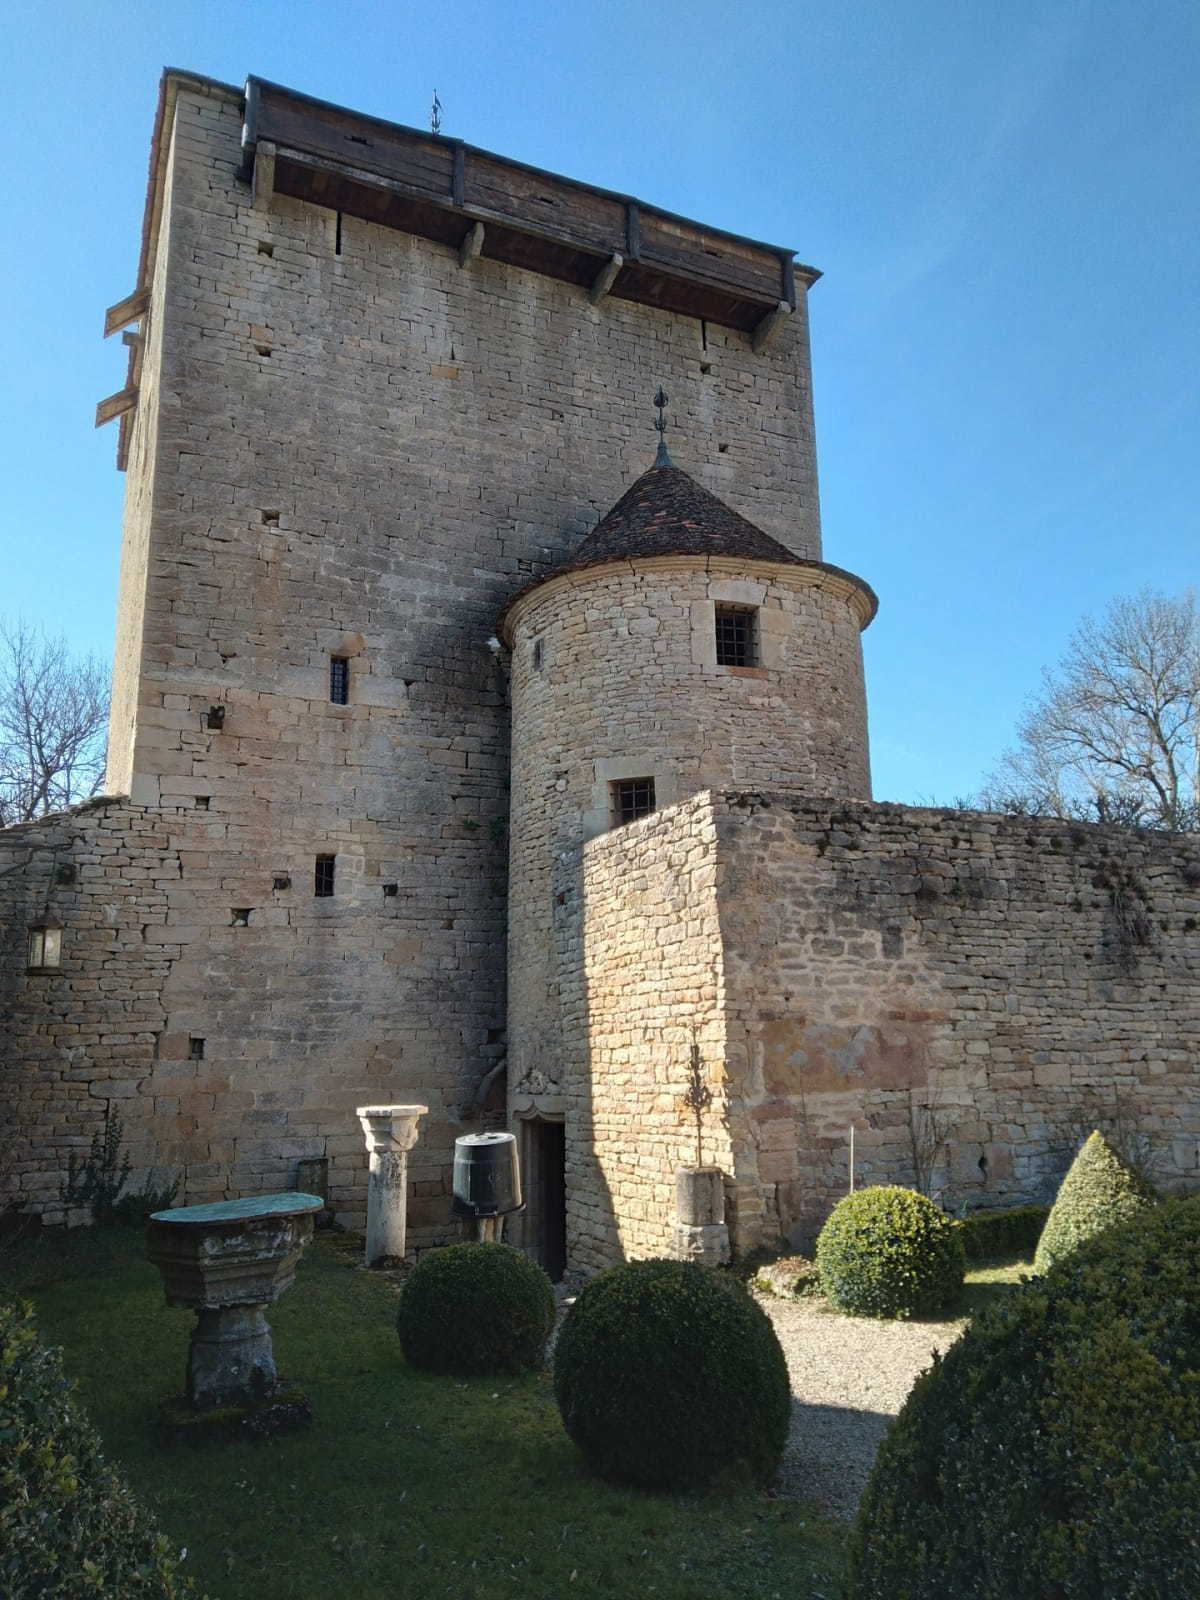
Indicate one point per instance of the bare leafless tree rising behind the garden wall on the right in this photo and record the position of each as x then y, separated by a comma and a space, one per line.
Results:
1116, 734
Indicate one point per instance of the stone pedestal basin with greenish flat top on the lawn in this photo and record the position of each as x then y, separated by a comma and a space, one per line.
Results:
228, 1263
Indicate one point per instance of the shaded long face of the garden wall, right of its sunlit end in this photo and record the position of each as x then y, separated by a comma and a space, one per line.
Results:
1017, 982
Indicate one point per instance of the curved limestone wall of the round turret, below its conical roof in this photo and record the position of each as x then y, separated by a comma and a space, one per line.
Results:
615, 676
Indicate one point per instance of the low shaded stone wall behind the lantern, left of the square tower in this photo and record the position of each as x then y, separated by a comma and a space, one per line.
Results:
86, 1038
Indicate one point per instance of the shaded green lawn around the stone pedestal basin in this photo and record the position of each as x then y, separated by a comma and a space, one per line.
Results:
407, 1484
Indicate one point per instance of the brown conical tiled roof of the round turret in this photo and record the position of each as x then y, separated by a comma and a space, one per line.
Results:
666, 513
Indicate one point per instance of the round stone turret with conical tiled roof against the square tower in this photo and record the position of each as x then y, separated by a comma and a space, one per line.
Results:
681, 649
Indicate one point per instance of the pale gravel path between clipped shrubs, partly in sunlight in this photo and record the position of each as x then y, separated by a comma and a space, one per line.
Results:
850, 1377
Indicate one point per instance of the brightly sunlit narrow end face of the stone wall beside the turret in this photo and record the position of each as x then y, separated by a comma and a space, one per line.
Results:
642, 980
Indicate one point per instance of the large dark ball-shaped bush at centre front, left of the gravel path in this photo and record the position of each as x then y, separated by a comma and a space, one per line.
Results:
668, 1375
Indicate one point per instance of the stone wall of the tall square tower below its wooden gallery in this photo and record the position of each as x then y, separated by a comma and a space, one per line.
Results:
346, 446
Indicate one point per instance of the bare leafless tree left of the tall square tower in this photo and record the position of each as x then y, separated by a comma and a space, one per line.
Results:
54, 713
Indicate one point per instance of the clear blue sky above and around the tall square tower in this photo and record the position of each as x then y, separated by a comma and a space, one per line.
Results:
1002, 196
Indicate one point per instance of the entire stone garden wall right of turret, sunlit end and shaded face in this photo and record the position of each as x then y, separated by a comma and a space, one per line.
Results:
1009, 983
